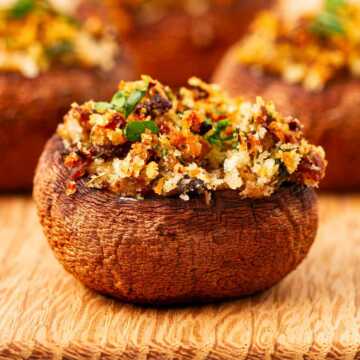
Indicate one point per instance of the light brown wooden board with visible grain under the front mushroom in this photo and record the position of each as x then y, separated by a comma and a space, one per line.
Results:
313, 314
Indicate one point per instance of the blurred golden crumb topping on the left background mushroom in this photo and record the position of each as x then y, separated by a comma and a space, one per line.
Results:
35, 36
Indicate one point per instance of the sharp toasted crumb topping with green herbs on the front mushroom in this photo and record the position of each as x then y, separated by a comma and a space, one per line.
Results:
150, 140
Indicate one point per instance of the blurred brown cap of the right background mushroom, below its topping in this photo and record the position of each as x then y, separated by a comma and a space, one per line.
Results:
331, 117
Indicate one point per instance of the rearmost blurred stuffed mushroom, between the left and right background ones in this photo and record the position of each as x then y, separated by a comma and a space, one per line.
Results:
173, 40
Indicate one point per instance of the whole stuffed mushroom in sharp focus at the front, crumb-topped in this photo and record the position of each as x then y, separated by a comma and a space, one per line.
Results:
159, 197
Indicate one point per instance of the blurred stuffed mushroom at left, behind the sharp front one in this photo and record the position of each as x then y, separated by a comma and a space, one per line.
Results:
49, 58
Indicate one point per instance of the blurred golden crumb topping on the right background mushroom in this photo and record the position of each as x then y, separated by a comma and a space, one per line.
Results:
311, 50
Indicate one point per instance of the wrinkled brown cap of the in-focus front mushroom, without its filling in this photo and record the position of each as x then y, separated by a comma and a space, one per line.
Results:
165, 250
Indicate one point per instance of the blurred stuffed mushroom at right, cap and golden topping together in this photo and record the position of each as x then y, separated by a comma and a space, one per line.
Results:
309, 65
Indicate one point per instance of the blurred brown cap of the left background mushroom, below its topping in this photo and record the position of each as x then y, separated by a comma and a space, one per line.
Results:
31, 109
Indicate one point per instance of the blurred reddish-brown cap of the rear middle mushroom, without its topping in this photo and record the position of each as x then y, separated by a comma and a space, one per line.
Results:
195, 42
